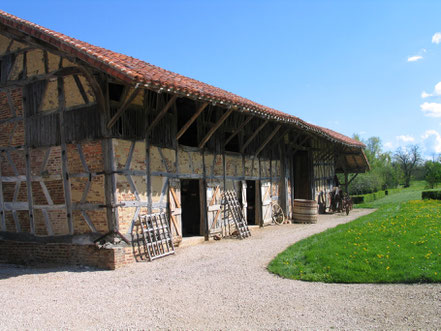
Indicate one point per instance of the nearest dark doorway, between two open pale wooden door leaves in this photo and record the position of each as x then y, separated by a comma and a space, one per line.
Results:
191, 211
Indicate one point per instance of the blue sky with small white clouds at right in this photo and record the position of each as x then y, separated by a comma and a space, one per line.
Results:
352, 66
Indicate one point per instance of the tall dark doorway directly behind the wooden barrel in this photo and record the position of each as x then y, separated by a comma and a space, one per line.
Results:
302, 176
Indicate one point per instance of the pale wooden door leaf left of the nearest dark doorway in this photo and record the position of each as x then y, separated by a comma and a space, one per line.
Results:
174, 204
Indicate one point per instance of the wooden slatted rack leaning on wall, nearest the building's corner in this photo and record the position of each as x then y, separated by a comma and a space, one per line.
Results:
156, 236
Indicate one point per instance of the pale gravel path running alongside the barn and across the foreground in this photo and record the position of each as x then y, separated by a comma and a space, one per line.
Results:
215, 285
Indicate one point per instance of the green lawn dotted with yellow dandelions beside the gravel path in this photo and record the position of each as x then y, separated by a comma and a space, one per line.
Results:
398, 243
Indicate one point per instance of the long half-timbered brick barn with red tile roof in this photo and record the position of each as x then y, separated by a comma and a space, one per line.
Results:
90, 139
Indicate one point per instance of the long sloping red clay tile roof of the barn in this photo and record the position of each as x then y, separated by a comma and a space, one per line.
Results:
132, 71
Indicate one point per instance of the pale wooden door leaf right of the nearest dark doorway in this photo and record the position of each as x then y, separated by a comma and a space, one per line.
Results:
214, 207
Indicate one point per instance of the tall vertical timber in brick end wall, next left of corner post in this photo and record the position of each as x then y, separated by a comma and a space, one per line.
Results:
65, 169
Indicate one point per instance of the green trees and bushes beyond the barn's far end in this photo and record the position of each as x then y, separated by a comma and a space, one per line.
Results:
391, 169
